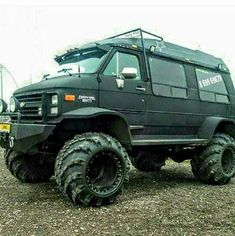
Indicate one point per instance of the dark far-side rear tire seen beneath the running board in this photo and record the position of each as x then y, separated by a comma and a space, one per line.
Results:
148, 161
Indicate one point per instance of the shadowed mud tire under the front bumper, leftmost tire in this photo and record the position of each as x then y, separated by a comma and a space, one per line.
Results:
28, 168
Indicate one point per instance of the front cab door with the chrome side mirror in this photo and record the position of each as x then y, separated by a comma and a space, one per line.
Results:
126, 94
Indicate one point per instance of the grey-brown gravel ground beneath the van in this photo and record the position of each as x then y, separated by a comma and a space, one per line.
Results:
171, 202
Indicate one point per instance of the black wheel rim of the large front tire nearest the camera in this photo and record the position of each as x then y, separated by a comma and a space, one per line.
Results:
104, 173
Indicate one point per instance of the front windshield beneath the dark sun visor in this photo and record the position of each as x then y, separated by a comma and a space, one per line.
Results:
84, 61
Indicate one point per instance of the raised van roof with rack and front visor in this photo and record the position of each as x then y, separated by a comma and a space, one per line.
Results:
154, 45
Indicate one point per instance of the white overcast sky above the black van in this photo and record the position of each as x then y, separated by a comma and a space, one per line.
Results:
30, 35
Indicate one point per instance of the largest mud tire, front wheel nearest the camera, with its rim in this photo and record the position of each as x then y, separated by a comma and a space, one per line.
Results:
91, 169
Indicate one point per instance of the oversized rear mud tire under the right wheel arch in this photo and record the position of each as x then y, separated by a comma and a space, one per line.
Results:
216, 165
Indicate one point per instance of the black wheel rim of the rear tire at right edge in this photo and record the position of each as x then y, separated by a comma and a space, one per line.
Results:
228, 161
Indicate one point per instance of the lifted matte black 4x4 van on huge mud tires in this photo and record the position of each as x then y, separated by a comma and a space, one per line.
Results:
132, 95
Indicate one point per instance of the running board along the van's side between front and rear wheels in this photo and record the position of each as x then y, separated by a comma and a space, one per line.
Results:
146, 142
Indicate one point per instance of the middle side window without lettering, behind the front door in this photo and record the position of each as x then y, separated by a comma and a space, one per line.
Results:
168, 78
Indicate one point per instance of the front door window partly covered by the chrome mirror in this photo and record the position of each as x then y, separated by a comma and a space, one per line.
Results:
121, 60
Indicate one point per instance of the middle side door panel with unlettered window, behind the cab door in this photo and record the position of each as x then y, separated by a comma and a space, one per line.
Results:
169, 104
